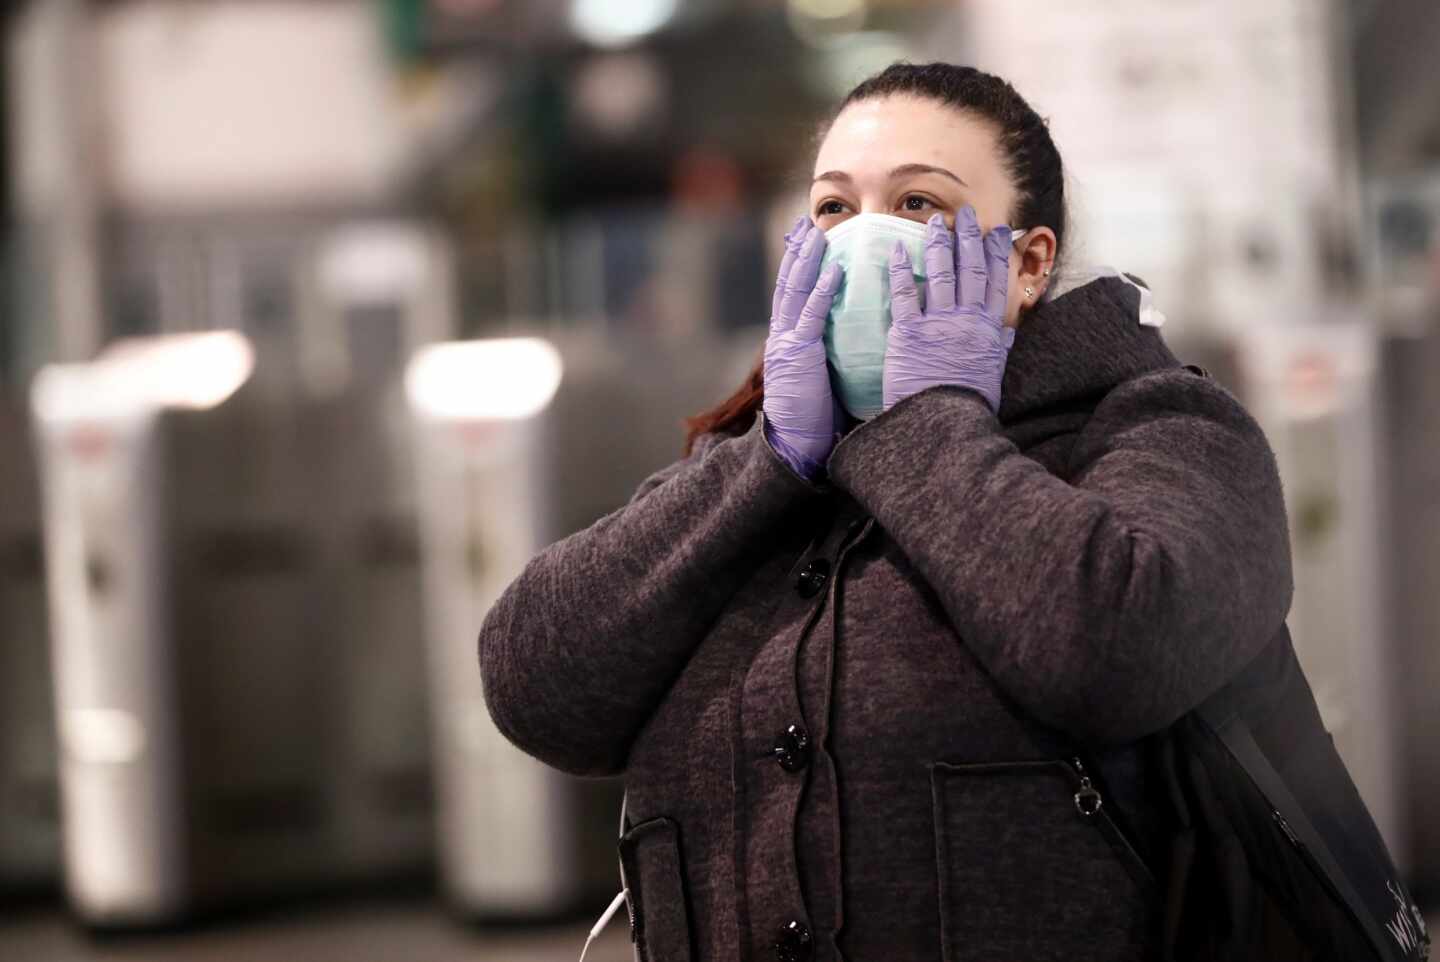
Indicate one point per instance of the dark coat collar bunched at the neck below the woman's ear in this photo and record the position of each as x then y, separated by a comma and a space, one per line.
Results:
1079, 346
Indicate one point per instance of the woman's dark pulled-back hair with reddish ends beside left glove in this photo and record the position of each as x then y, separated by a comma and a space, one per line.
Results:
1030, 158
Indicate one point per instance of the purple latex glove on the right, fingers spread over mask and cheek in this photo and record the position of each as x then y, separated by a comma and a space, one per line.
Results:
961, 335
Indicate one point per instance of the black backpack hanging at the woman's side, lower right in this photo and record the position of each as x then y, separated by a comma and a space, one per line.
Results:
1274, 853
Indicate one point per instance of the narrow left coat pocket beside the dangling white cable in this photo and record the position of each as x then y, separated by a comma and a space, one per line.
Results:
654, 879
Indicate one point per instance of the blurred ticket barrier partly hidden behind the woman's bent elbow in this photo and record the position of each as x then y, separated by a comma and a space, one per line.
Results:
521, 443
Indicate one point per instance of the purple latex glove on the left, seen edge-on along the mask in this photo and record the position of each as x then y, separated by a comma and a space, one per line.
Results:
801, 414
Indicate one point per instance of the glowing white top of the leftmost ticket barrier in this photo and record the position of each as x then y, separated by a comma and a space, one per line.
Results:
138, 375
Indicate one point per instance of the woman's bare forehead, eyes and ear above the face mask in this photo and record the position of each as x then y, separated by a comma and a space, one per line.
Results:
912, 158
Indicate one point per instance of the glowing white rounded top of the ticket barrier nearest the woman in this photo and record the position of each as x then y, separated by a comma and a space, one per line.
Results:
505, 378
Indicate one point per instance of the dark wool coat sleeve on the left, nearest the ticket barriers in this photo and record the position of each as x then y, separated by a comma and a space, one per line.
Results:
580, 650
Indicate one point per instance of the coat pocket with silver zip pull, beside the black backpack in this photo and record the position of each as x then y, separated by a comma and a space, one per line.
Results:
1033, 868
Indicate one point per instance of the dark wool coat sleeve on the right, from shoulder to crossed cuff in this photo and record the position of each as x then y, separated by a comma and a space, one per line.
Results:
1111, 604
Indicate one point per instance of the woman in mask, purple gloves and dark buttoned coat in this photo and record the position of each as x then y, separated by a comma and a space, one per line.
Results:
879, 657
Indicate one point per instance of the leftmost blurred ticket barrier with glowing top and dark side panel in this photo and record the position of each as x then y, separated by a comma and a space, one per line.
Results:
237, 686
